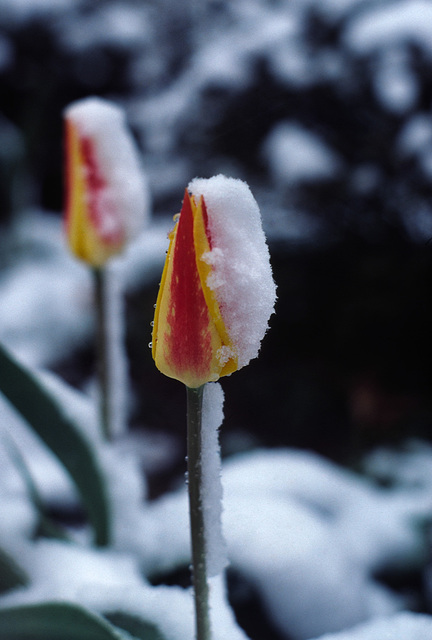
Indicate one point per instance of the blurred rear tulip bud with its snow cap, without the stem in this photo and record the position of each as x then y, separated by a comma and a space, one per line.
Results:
106, 197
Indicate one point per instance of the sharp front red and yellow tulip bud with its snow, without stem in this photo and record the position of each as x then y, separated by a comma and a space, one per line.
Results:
217, 291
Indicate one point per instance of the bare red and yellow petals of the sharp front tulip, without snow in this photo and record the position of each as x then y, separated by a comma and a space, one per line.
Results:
190, 340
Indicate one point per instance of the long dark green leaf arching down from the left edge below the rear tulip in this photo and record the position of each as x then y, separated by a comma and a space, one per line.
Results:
45, 415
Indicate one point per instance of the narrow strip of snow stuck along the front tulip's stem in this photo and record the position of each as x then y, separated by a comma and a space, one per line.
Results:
212, 418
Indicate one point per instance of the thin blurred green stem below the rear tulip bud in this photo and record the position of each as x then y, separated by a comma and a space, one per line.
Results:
102, 346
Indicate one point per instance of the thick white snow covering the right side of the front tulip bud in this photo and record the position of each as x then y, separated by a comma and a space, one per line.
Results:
242, 277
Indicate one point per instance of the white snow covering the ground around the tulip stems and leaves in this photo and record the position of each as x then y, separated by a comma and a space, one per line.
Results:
309, 537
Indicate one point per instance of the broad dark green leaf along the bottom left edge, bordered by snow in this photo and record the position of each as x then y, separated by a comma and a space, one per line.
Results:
56, 621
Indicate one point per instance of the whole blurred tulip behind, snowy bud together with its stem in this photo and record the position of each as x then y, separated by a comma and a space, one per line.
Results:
105, 207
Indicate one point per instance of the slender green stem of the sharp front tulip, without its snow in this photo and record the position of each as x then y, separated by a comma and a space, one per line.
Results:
196, 512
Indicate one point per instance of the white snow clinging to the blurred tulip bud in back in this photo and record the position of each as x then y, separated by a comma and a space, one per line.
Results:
125, 194
